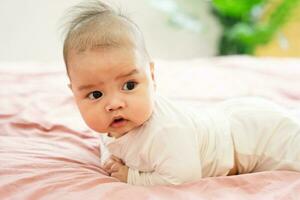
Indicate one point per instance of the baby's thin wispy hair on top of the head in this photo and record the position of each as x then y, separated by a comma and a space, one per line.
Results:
95, 24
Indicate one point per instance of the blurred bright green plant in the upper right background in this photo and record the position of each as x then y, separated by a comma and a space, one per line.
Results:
243, 28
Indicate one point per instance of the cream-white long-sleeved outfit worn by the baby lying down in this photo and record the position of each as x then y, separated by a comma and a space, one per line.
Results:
179, 144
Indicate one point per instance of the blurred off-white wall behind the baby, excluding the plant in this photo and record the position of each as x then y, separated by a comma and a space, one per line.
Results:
30, 31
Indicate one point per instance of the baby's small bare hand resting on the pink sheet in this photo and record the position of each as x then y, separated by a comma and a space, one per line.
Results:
116, 168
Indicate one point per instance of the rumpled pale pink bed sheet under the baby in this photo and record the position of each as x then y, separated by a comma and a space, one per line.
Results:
47, 152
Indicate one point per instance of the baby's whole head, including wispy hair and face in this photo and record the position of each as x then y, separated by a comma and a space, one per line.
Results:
109, 69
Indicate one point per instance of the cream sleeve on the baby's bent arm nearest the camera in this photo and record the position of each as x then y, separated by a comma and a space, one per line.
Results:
174, 154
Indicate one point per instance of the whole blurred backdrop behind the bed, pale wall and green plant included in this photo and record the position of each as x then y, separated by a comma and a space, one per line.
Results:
174, 29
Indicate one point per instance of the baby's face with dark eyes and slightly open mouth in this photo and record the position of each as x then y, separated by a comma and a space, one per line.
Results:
113, 88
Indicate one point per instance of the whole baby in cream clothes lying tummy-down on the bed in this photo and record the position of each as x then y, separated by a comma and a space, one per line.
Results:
153, 141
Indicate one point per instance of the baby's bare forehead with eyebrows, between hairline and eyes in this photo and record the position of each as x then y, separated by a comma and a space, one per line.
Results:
104, 73
